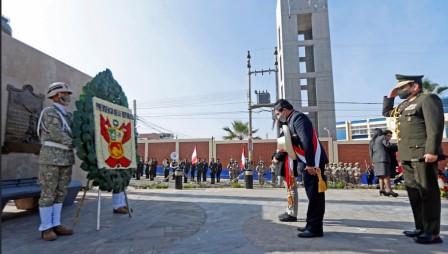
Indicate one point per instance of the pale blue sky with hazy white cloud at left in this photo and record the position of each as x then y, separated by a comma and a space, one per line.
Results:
184, 61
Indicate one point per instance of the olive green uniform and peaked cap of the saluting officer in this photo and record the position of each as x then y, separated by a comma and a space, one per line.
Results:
419, 131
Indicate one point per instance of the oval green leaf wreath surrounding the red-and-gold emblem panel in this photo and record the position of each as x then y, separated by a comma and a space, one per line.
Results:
105, 87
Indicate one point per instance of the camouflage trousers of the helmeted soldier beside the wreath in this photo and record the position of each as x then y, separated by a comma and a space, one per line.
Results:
54, 181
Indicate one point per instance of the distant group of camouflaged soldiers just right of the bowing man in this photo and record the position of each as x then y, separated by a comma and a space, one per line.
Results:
347, 173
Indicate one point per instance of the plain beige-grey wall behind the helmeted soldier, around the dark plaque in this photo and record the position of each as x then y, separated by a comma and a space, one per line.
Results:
22, 65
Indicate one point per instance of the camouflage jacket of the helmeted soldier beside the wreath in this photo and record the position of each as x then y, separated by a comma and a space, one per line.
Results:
52, 129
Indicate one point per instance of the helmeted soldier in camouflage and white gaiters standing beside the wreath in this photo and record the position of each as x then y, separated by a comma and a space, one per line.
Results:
55, 160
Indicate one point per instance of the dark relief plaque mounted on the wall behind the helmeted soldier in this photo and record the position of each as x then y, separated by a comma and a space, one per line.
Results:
23, 109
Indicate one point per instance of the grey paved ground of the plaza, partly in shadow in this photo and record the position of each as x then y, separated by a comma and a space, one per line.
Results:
224, 220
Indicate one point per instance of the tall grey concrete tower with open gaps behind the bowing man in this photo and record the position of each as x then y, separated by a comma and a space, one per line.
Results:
305, 70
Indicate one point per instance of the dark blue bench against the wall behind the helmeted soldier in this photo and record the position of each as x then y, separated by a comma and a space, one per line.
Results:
16, 189
